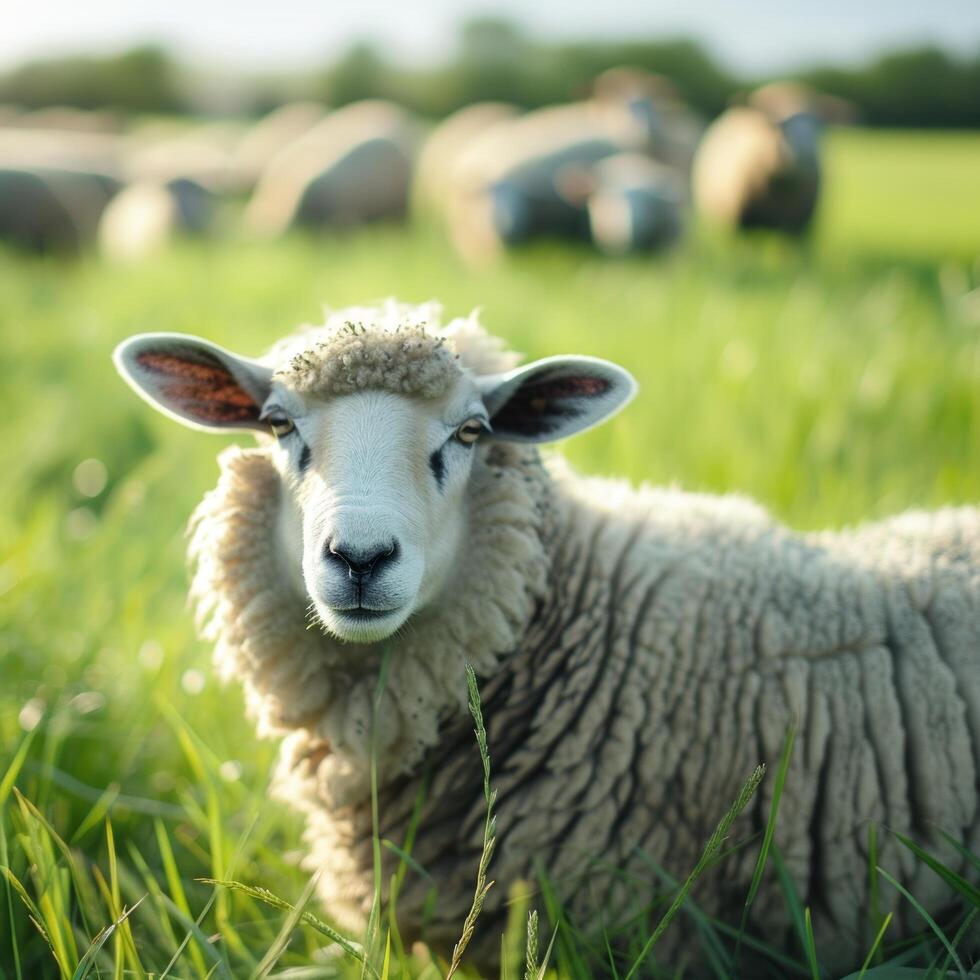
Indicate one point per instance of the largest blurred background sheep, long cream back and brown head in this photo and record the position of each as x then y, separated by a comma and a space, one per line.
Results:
509, 185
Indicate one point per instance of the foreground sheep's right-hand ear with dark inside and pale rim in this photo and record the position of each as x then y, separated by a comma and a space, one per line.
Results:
555, 398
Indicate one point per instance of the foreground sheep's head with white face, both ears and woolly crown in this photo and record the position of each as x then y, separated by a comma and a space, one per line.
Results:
375, 433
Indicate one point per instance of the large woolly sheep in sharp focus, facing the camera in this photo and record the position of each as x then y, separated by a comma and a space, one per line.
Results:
639, 650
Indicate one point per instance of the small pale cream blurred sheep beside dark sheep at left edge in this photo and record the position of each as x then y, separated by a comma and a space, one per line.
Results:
147, 215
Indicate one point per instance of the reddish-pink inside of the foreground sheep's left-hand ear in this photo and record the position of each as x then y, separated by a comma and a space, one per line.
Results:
208, 392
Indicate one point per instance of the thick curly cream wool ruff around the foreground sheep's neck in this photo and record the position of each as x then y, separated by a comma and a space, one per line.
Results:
302, 681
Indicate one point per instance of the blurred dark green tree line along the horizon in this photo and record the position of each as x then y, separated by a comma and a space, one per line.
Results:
494, 59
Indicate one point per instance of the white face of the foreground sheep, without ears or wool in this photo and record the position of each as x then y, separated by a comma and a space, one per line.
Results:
375, 507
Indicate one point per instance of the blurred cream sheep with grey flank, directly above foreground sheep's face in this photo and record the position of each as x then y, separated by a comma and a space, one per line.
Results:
353, 168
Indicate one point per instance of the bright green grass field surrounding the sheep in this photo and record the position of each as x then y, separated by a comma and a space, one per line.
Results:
835, 382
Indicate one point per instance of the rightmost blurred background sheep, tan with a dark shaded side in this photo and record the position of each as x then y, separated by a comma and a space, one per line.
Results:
758, 165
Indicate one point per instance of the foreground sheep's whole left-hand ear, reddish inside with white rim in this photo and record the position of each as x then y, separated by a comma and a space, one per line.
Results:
197, 383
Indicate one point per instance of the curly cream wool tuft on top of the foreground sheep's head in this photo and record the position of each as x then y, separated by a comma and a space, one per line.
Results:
394, 347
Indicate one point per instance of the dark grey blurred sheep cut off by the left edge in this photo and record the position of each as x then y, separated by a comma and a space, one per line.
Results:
47, 209
